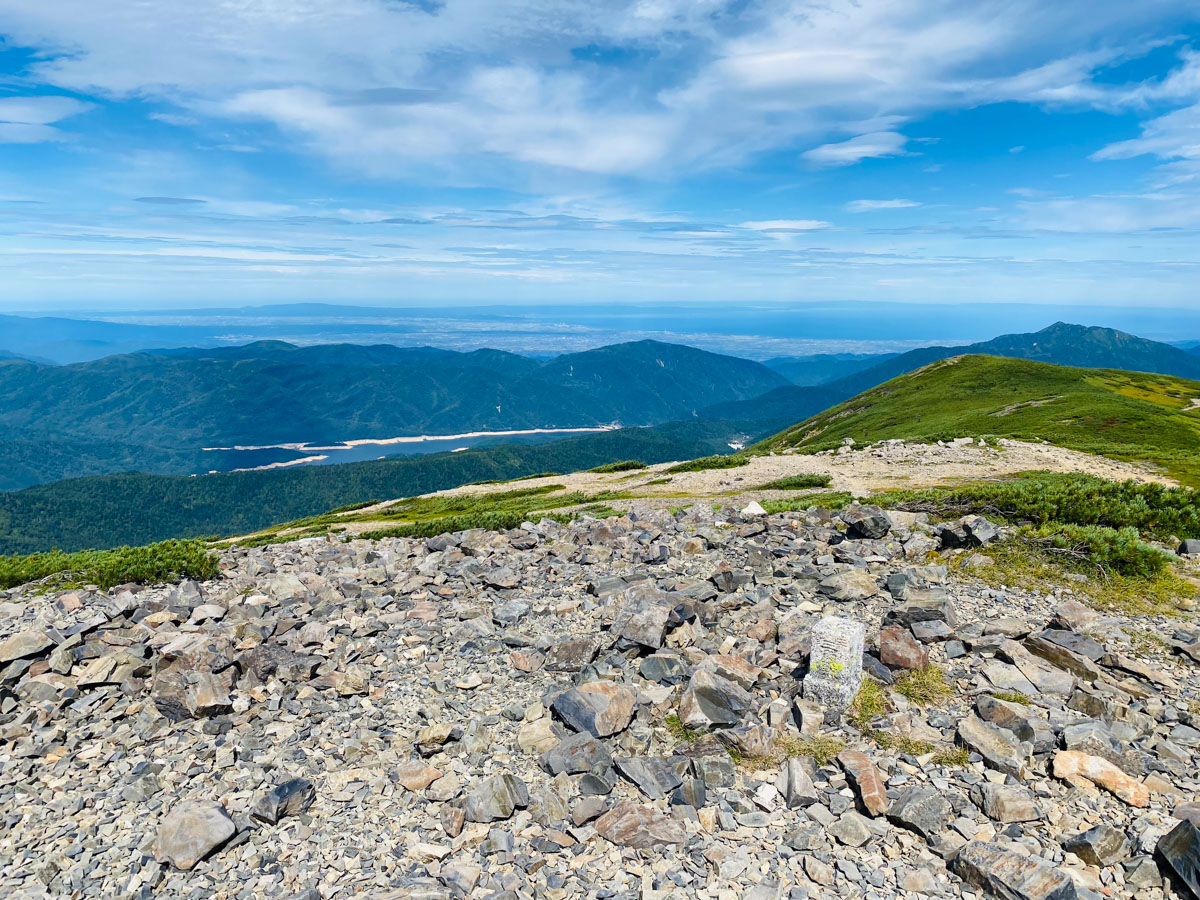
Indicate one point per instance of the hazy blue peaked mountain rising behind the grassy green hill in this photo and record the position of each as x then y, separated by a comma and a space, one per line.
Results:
1060, 344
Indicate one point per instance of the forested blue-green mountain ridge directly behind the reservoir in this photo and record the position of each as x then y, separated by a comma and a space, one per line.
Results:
157, 411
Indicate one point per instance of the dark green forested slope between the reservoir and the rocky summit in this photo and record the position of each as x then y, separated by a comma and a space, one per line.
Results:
113, 511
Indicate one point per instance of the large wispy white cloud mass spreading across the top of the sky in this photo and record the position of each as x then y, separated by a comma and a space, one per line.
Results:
385, 87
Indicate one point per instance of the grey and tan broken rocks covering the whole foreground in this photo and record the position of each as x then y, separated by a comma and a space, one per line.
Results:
646, 707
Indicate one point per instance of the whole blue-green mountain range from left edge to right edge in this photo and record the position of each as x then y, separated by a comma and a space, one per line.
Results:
159, 411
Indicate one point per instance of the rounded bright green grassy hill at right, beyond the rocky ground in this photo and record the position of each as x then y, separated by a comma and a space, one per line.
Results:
1126, 416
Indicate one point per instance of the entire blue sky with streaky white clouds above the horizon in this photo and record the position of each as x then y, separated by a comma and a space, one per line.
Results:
413, 152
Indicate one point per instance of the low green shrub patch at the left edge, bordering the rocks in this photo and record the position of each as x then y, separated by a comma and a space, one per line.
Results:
153, 565
